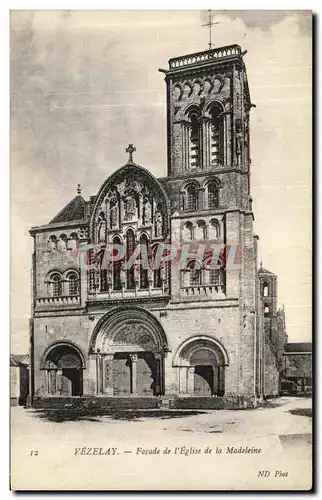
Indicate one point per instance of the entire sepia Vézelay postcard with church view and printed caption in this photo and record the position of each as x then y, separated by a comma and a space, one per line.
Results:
161, 191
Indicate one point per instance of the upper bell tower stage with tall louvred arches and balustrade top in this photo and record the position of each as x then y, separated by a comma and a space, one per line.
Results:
208, 106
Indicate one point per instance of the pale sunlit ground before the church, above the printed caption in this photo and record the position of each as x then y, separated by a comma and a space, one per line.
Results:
282, 416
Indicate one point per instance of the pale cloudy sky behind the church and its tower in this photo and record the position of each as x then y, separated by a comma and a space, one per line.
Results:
85, 84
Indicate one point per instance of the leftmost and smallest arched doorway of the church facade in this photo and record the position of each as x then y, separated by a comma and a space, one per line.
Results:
63, 363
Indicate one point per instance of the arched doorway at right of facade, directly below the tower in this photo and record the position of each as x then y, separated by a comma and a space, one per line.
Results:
201, 364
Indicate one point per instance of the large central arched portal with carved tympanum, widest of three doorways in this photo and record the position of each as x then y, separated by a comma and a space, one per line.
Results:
128, 348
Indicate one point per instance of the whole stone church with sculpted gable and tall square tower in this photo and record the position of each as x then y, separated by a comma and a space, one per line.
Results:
184, 333
